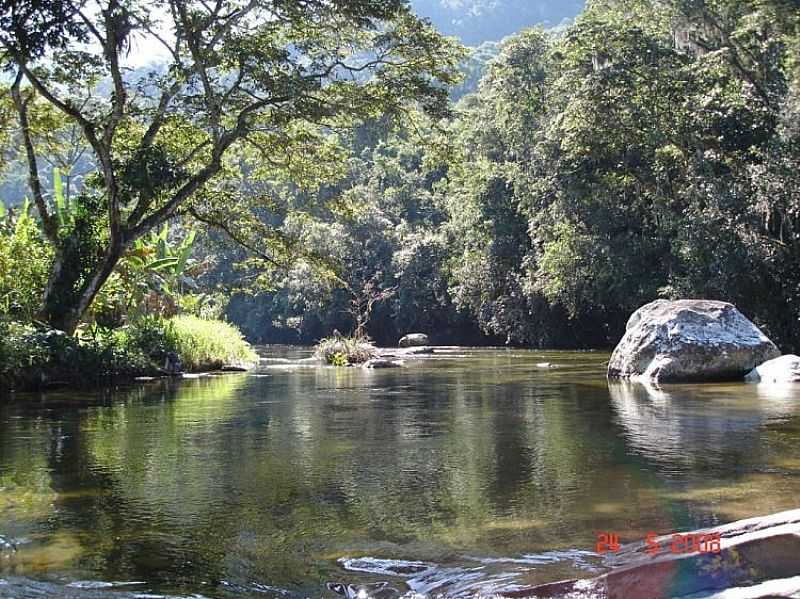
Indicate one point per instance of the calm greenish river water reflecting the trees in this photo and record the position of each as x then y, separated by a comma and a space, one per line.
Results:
468, 471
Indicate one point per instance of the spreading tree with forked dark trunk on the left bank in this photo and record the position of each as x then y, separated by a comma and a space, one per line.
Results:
265, 77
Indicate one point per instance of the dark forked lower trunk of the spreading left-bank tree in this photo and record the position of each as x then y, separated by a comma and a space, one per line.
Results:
70, 291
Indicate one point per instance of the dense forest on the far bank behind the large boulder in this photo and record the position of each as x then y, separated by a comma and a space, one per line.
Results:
650, 150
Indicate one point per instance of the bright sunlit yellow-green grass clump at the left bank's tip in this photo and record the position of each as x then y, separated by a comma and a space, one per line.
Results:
208, 344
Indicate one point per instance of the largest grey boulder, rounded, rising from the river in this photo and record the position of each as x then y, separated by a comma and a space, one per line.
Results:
689, 340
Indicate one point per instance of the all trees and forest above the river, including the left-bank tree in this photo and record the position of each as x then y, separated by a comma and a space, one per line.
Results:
532, 192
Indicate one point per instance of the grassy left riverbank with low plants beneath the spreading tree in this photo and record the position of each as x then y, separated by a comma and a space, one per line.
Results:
34, 357
